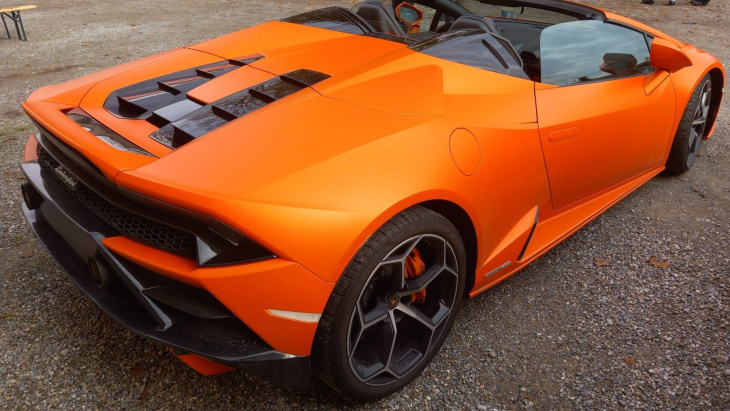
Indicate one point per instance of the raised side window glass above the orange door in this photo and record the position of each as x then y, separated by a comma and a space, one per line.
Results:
590, 50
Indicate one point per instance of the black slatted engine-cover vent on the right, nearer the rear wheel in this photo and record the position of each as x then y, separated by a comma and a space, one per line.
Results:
187, 120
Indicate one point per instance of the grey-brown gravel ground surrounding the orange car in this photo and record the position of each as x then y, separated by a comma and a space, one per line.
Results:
567, 332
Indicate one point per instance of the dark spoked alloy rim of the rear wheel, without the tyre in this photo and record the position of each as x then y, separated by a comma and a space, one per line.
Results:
390, 332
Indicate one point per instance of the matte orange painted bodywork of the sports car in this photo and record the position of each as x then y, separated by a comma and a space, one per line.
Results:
312, 176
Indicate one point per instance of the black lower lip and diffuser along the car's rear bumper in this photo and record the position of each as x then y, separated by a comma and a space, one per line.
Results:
72, 237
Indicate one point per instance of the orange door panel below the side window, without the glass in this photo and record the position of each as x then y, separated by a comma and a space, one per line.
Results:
619, 133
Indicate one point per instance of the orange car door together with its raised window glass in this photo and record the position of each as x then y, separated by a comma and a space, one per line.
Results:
598, 124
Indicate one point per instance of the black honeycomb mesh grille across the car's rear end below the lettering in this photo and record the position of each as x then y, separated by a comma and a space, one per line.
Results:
129, 224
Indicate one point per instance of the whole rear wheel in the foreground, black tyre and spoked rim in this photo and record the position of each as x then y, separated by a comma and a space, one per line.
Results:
375, 335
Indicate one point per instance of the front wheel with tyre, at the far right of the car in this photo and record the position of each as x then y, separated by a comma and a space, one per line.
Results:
691, 129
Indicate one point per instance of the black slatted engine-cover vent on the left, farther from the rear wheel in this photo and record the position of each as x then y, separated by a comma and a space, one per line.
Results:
163, 99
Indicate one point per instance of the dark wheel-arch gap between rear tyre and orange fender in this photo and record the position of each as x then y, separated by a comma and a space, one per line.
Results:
464, 225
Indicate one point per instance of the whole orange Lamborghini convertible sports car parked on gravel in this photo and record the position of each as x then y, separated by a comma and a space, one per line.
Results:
315, 196
